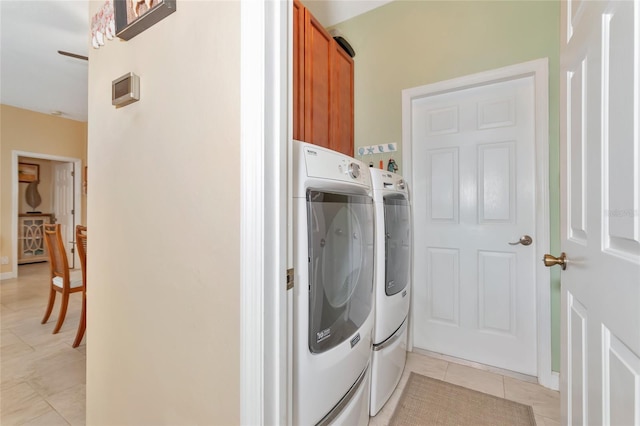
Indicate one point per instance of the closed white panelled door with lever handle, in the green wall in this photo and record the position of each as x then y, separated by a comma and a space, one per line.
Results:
473, 192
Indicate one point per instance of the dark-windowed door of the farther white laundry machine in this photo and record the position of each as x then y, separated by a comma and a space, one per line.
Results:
397, 228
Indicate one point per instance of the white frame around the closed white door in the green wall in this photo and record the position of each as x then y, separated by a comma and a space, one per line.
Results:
539, 70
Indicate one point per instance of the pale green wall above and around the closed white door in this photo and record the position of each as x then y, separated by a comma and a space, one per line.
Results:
412, 43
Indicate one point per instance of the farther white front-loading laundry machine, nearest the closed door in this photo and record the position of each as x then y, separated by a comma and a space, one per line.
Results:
392, 284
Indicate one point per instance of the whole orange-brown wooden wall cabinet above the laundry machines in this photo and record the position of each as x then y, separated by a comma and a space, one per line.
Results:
322, 86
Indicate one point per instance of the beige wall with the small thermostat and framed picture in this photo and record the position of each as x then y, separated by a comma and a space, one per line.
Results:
163, 344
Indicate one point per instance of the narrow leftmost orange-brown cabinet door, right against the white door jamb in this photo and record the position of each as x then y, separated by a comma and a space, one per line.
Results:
298, 70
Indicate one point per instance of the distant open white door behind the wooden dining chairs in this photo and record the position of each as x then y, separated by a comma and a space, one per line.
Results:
63, 206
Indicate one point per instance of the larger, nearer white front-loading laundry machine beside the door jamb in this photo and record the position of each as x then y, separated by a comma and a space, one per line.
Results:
333, 226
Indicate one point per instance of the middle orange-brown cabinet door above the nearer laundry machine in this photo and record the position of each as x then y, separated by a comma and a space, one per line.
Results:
318, 49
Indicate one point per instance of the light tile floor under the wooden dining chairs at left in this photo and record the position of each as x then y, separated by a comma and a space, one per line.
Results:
42, 377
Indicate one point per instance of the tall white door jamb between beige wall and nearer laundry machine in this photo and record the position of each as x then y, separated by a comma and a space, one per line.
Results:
265, 237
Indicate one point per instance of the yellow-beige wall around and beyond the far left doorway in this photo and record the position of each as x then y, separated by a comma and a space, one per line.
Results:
22, 130
